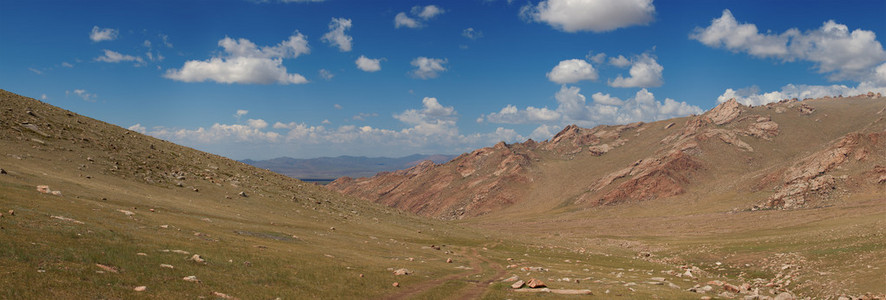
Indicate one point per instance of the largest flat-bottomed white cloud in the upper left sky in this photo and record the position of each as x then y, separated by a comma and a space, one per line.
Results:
246, 63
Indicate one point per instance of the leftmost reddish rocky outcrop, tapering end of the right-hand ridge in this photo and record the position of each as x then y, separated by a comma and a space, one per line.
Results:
472, 184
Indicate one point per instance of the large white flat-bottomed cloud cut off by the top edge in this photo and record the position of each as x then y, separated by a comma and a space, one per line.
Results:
590, 15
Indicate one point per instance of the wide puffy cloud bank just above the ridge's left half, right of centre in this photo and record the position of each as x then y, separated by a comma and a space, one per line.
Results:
573, 109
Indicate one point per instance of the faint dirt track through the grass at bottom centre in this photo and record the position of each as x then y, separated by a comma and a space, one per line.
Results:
473, 291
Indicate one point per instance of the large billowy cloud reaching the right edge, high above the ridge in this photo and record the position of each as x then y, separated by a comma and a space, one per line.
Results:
833, 48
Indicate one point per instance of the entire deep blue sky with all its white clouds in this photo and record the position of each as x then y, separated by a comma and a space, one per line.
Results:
263, 79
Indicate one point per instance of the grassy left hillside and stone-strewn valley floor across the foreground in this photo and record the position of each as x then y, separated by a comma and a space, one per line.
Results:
130, 206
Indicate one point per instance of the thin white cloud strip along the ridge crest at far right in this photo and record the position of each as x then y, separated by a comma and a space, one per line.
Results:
753, 95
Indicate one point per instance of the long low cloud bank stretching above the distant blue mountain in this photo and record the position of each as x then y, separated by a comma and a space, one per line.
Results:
429, 129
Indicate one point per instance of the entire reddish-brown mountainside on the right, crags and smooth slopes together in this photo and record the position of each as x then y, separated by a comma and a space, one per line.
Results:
782, 155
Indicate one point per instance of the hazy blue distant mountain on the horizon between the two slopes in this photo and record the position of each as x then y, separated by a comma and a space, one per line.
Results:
335, 167
